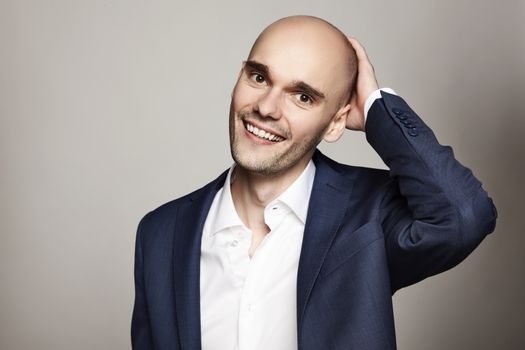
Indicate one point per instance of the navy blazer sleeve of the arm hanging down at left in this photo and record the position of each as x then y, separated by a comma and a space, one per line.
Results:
141, 338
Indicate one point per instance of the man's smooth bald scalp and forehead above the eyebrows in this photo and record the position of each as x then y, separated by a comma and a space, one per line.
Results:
308, 38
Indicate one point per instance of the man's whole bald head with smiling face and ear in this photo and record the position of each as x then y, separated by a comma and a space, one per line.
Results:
291, 93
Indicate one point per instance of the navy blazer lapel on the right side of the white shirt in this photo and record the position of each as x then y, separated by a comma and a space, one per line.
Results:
327, 207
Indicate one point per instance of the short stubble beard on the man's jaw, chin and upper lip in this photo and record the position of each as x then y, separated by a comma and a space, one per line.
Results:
276, 163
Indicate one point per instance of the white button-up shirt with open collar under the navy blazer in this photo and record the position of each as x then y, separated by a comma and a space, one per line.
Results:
250, 304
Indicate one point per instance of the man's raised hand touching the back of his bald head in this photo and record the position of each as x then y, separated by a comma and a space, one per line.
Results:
366, 84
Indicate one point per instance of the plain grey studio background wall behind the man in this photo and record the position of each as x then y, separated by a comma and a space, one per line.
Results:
111, 108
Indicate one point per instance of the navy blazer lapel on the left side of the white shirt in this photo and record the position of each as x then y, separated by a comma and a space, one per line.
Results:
186, 262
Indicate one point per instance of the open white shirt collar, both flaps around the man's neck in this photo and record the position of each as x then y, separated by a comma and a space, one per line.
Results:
296, 197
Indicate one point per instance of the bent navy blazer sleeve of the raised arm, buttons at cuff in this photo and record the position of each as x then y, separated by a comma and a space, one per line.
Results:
435, 212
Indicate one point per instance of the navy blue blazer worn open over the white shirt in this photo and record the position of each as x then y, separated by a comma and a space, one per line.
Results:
368, 233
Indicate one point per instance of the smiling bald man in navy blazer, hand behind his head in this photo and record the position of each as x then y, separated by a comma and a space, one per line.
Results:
289, 249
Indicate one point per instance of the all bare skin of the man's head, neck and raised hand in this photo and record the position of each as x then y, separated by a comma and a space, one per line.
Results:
296, 85
